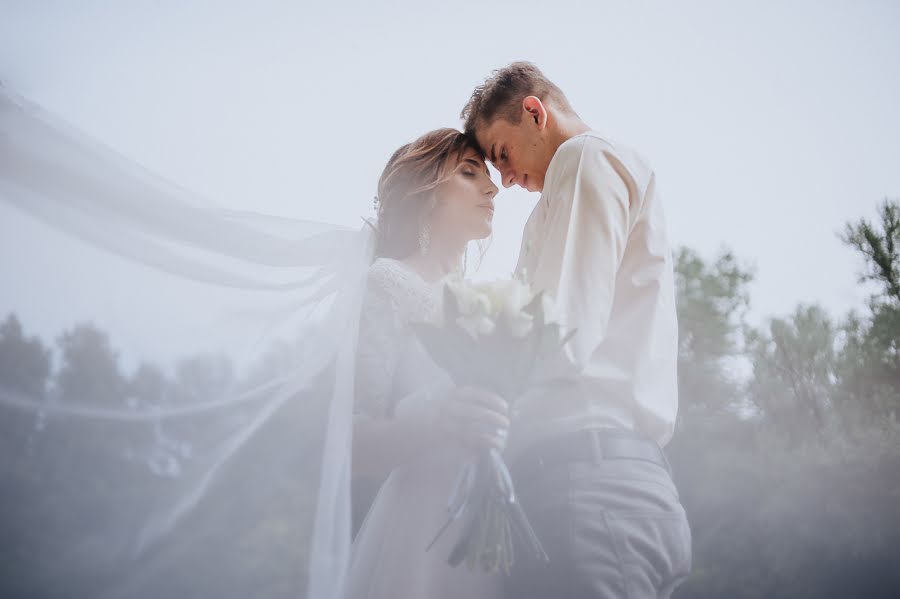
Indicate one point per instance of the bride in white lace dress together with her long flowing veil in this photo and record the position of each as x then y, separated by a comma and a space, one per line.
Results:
402, 428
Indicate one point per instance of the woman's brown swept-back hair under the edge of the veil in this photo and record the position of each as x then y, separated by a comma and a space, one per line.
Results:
406, 189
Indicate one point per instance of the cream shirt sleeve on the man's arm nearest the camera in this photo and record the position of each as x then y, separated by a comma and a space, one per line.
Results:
589, 217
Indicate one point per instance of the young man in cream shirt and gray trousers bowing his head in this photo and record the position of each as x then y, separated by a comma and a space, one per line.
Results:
586, 454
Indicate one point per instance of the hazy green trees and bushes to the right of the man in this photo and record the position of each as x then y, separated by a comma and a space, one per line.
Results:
800, 495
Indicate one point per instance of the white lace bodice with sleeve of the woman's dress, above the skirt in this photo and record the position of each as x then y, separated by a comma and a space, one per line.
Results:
391, 363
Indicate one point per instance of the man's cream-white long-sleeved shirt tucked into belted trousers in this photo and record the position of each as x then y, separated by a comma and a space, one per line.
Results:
596, 242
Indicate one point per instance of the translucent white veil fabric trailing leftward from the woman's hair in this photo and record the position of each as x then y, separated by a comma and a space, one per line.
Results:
281, 296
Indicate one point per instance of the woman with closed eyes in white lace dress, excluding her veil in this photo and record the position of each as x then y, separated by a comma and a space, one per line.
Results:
412, 428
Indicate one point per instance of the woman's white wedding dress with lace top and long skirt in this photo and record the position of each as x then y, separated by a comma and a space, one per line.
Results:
389, 558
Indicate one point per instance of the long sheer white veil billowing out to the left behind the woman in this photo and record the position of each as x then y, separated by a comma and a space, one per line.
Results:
279, 298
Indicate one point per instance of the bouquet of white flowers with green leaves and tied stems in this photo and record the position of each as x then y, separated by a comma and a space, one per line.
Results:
503, 337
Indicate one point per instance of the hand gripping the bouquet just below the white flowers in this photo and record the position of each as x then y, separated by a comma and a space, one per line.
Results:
475, 417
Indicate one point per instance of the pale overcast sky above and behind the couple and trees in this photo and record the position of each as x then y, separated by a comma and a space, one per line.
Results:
770, 124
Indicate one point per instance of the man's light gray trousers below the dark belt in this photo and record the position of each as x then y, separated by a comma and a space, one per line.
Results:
613, 529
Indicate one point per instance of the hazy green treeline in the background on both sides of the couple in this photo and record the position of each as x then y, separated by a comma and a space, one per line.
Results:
786, 454
